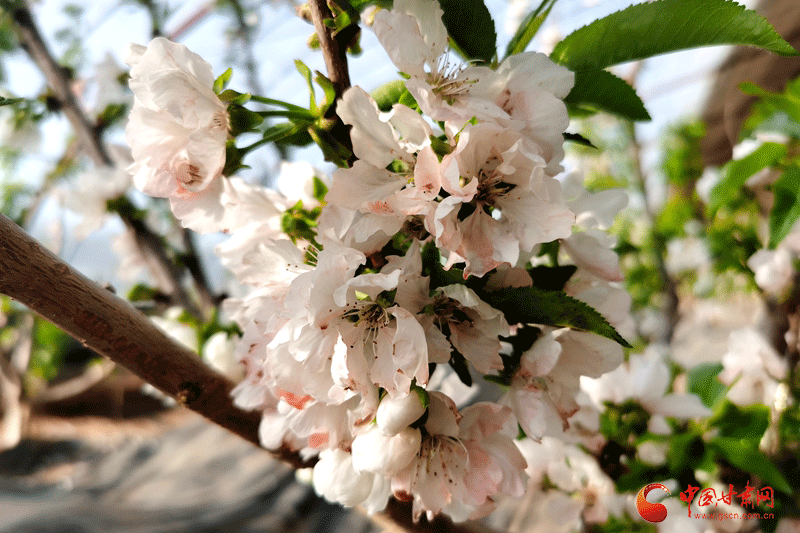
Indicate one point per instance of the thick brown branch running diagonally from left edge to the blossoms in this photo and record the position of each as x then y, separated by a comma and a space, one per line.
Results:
109, 325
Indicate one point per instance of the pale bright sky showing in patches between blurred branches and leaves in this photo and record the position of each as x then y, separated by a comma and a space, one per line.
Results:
673, 86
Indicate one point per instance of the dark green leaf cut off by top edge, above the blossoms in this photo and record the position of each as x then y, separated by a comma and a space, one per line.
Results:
471, 28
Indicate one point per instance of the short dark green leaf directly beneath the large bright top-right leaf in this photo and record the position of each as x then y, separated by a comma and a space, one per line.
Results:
604, 91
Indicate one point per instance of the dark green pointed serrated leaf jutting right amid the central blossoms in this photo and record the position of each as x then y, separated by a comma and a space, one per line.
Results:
530, 305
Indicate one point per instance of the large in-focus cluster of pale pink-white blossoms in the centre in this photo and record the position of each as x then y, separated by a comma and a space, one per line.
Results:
351, 352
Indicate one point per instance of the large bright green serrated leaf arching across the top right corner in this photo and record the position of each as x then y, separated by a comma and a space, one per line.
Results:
653, 28
